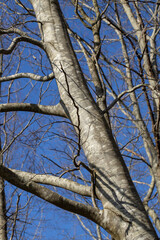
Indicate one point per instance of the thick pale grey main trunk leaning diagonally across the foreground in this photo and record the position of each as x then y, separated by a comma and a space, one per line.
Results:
124, 216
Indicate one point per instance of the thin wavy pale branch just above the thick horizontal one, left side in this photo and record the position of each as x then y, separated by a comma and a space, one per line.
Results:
28, 75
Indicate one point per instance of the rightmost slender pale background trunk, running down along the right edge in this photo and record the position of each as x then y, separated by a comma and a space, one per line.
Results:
152, 75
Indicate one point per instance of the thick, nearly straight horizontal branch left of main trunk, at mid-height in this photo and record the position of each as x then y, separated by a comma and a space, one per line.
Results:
56, 110
